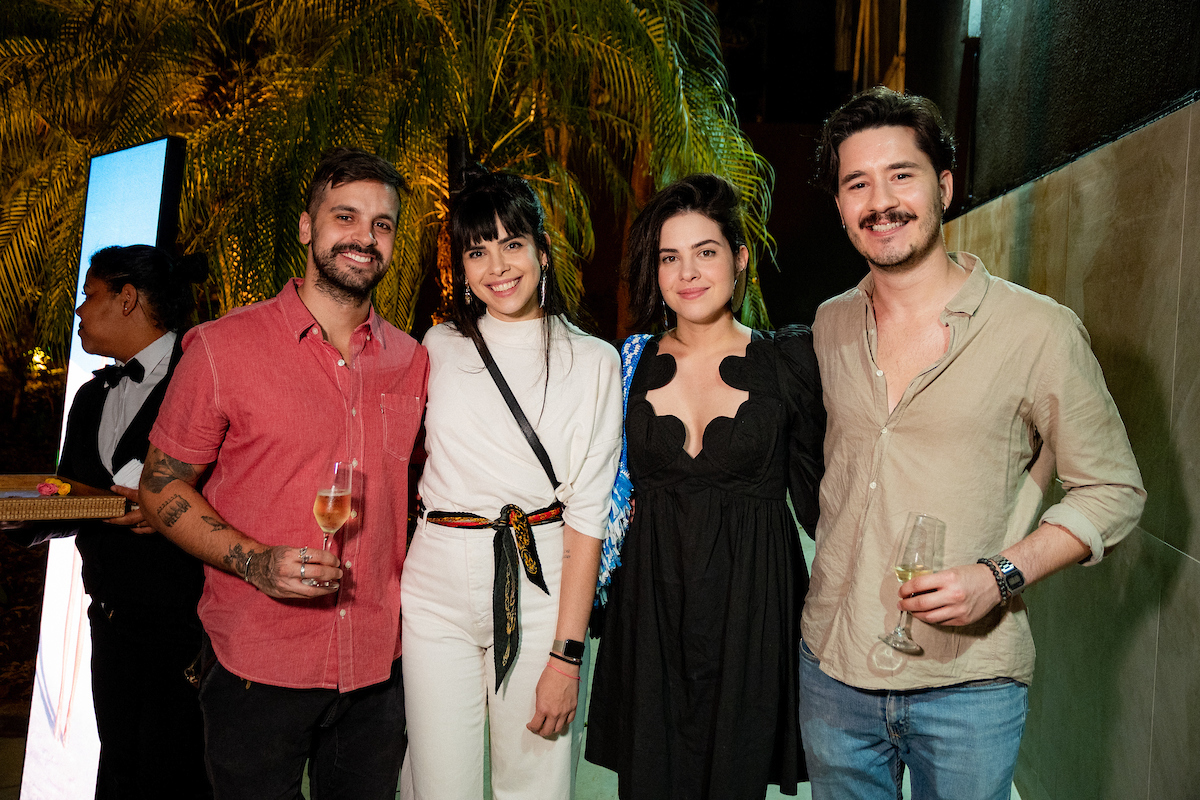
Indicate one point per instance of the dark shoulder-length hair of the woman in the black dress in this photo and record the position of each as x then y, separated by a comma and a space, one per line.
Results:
704, 194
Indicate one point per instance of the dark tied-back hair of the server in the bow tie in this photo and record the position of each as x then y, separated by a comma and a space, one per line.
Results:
164, 284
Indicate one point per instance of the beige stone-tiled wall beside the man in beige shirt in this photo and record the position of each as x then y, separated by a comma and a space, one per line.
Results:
1115, 703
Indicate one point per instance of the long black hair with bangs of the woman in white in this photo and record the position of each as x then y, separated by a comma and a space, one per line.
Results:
485, 199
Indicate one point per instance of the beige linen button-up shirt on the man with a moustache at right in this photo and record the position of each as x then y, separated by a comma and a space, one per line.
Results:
1018, 371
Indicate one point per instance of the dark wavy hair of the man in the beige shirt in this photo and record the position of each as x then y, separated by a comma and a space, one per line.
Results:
877, 109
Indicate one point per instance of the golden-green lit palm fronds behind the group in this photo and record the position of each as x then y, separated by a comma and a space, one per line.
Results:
627, 95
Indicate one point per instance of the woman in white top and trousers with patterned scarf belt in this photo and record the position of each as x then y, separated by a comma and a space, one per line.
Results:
501, 575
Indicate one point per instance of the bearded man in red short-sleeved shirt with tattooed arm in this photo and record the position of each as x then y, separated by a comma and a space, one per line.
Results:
305, 642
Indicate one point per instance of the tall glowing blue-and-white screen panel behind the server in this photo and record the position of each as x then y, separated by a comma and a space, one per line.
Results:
133, 200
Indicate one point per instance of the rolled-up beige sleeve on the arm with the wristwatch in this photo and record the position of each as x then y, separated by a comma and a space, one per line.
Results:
1077, 417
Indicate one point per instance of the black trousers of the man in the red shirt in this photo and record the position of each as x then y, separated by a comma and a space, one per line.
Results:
259, 738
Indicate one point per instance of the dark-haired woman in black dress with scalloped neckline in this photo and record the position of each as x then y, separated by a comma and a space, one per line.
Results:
695, 690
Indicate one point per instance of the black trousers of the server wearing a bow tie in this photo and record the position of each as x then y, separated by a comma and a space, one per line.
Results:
148, 717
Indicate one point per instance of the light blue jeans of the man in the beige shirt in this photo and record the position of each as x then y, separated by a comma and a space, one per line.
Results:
958, 742
